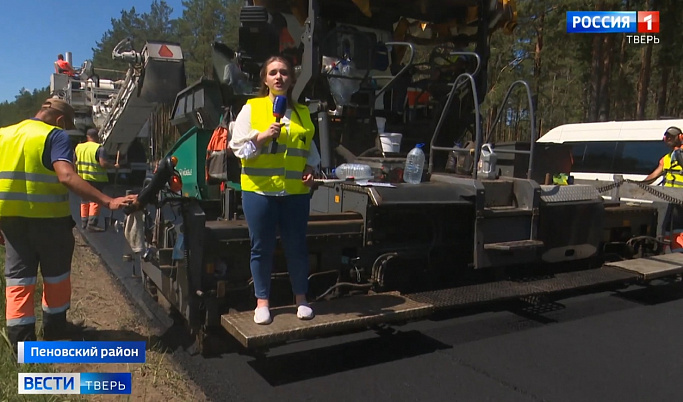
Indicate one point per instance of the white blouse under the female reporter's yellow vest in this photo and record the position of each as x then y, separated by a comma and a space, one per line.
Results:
242, 141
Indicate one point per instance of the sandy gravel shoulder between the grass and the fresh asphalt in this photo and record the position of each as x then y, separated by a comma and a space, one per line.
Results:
99, 300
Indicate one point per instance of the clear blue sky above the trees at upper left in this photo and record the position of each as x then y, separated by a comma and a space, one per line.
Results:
34, 32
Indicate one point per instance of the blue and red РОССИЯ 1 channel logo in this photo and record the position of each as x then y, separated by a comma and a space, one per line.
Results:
644, 22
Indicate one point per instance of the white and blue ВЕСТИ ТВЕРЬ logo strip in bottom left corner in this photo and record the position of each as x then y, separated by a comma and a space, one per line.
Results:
75, 383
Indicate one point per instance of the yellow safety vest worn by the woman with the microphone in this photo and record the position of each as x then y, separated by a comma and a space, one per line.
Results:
279, 173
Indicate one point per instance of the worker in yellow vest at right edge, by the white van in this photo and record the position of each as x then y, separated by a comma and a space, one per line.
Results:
671, 167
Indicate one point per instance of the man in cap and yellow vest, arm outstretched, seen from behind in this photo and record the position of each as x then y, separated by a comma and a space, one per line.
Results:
36, 174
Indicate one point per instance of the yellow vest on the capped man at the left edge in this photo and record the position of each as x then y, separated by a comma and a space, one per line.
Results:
27, 188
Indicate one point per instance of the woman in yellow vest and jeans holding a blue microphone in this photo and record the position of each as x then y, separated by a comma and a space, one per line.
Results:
278, 160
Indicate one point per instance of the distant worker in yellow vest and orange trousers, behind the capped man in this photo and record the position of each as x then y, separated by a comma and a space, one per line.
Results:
92, 165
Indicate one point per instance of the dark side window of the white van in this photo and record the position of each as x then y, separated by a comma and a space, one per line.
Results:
625, 157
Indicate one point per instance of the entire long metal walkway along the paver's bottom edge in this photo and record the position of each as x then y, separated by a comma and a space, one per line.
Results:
359, 312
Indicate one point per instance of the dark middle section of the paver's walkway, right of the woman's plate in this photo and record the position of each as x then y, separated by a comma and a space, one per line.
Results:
472, 295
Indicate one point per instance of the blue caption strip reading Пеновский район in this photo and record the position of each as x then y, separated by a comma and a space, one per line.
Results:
81, 352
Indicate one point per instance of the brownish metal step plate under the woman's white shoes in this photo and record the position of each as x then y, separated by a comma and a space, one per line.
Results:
334, 316
